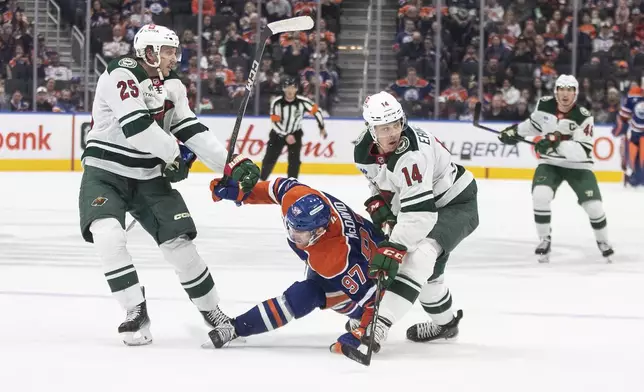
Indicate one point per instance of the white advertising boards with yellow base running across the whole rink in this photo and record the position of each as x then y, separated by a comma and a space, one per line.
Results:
47, 137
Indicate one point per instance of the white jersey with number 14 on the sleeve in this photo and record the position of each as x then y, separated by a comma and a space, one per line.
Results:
420, 174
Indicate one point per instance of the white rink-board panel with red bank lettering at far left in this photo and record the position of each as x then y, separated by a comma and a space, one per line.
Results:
35, 141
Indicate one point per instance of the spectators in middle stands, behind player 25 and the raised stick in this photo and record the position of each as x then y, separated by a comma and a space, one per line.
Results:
228, 46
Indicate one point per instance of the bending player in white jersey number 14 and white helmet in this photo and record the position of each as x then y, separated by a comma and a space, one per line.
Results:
431, 203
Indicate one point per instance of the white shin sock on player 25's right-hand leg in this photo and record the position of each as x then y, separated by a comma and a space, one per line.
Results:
193, 273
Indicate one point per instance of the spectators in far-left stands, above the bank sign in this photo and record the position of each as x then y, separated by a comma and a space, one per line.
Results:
57, 91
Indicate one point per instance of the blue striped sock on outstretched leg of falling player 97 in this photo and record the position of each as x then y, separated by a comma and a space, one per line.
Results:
297, 301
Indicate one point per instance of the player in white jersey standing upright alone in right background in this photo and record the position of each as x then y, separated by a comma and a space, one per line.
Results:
565, 154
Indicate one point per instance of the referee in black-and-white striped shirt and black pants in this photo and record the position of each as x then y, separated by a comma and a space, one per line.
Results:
286, 119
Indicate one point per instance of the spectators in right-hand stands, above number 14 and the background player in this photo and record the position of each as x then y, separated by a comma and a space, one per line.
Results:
527, 44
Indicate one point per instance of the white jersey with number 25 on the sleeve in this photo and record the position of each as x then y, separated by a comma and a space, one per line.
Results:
136, 121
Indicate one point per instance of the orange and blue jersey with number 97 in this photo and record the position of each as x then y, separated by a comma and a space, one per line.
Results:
338, 261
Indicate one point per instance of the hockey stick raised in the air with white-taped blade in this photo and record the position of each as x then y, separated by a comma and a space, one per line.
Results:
282, 26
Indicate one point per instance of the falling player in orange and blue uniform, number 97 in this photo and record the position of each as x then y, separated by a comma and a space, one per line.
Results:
334, 242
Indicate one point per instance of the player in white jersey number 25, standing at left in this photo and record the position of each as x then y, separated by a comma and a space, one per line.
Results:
139, 114
